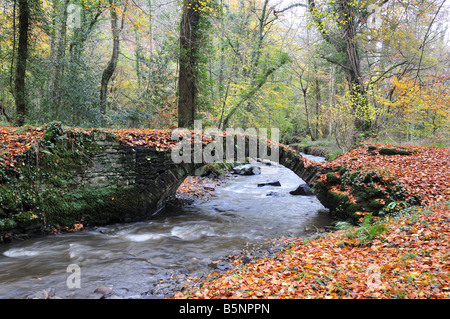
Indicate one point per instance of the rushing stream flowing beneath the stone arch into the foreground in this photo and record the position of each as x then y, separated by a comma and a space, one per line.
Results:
131, 257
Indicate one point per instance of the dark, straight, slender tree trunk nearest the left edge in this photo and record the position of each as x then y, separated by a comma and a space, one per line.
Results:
21, 66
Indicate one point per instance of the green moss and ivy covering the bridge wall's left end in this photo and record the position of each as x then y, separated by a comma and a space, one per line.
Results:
54, 184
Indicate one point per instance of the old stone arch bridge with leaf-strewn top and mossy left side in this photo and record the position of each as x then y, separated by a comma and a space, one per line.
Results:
105, 176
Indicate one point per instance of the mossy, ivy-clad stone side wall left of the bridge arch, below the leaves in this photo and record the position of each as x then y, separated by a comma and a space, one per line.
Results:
90, 178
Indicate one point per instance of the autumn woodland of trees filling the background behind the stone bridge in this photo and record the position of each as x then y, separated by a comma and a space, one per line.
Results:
315, 69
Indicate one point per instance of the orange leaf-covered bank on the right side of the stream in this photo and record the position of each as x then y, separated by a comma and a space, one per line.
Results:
409, 258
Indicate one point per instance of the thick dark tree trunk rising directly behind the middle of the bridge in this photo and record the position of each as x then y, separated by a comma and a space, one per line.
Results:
187, 79
